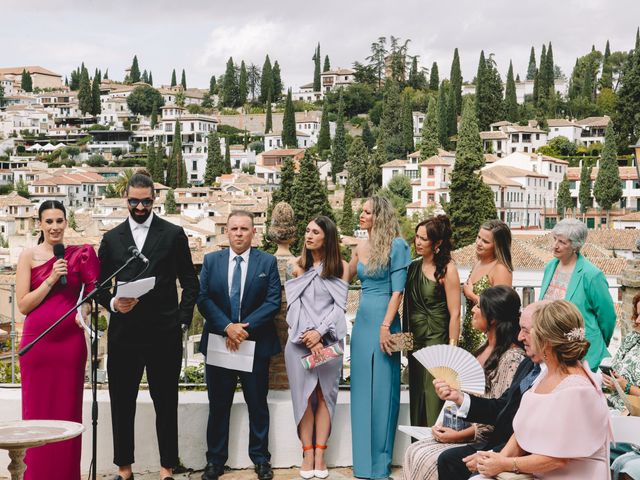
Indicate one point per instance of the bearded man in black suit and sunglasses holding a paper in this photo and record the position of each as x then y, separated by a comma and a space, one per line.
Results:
146, 332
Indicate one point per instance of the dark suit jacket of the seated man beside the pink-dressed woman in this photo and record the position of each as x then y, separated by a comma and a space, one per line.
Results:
500, 411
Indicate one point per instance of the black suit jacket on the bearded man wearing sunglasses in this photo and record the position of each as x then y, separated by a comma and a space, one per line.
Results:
158, 312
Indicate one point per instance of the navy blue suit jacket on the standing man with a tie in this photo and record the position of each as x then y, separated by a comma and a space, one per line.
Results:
261, 299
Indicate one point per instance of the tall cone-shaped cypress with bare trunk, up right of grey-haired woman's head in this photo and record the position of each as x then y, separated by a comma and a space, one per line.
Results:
607, 189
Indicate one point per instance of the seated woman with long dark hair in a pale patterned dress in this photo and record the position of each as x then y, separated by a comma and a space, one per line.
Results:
497, 316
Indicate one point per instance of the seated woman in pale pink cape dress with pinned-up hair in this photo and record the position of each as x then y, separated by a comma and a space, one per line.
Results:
562, 428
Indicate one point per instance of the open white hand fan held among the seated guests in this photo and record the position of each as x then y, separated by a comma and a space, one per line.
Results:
455, 365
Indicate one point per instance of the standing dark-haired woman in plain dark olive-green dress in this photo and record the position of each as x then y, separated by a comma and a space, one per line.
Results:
432, 297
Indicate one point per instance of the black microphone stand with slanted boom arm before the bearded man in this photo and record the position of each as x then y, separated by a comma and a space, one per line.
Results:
93, 298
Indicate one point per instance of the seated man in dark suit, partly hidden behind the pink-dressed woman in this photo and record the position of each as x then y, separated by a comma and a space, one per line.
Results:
460, 462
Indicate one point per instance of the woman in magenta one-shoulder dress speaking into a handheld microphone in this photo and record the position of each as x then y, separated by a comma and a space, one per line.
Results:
53, 370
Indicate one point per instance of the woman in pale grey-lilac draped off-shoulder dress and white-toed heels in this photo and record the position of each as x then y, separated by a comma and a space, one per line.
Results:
316, 305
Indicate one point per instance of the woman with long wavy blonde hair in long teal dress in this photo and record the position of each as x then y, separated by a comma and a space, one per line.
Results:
381, 264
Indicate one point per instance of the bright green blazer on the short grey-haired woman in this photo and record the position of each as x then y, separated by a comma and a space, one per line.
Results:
589, 291
